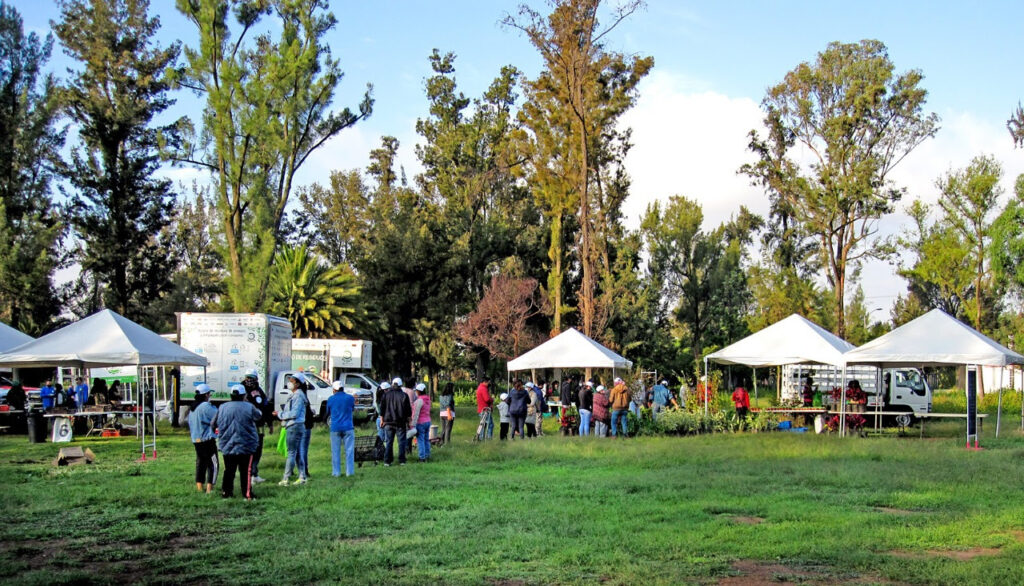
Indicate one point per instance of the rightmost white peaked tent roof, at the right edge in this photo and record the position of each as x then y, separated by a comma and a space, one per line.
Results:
934, 340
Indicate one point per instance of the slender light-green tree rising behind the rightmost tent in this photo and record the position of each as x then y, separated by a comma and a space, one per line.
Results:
970, 200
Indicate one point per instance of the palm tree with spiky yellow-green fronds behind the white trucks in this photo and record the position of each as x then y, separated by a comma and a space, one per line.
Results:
321, 302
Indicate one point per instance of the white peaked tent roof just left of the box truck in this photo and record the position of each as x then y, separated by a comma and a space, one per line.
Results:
101, 341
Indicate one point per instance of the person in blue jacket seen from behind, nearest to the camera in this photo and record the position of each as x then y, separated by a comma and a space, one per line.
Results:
237, 437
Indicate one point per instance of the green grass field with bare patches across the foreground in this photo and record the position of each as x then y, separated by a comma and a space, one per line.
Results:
719, 510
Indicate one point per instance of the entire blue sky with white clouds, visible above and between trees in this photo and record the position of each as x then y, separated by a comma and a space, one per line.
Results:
713, 63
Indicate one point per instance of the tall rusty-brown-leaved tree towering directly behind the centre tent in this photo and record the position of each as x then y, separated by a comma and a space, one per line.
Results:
579, 99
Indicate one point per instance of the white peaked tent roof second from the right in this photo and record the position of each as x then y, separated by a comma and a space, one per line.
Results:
793, 341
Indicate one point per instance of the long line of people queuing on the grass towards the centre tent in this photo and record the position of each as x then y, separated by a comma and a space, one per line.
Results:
237, 430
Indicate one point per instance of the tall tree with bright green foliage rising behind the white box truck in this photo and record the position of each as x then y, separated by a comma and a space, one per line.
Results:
268, 110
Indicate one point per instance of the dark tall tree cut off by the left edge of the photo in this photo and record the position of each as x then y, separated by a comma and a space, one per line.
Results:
31, 229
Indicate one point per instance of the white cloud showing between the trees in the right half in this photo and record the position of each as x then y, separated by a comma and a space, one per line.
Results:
690, 140
